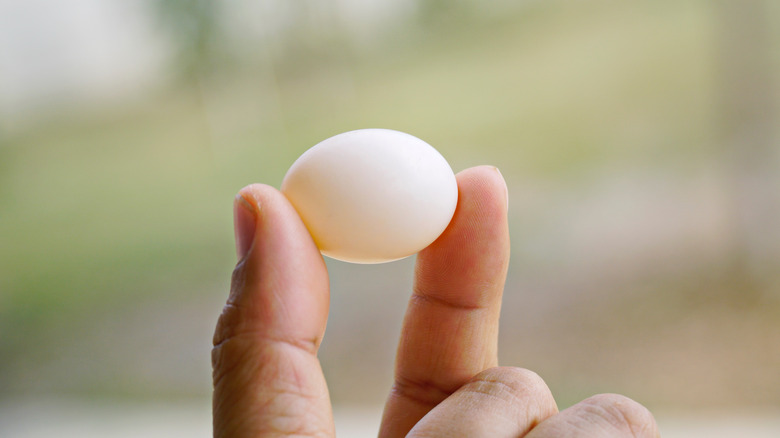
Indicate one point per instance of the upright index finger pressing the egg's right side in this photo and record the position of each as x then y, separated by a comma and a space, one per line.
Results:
450, 332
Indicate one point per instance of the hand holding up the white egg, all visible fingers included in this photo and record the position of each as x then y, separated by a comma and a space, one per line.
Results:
268, 381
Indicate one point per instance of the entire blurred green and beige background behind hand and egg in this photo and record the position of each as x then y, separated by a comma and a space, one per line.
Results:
640, 142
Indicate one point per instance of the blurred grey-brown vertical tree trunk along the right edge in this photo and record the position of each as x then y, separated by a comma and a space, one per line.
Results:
748, 120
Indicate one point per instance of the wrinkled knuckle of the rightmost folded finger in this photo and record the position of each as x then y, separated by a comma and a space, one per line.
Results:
623, 414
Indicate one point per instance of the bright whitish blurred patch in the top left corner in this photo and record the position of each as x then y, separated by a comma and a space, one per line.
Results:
75, 54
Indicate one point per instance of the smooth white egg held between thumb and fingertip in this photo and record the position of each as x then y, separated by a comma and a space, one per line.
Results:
372, 195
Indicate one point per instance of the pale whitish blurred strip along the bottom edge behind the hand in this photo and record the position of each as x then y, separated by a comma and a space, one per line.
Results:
68, 419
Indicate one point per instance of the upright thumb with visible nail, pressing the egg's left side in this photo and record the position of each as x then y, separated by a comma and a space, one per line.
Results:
267, 378
